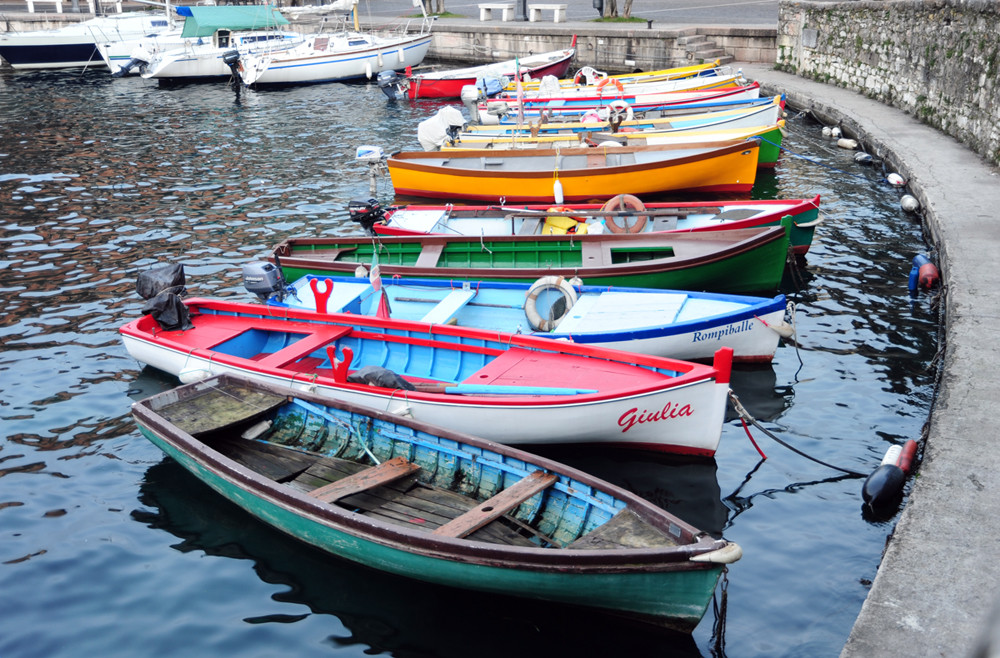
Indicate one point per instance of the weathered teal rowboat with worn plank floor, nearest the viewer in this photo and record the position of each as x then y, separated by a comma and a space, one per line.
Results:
427, 503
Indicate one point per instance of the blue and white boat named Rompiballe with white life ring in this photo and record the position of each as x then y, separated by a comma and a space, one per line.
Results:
670, 323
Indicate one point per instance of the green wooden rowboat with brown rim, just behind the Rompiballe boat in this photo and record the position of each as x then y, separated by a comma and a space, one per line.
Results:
735, 261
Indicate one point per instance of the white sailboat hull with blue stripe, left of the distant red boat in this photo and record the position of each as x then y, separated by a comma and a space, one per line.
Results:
328, 59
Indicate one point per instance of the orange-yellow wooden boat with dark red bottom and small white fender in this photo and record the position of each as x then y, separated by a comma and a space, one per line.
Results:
554, 175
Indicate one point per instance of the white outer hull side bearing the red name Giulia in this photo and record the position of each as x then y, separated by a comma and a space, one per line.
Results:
686, 419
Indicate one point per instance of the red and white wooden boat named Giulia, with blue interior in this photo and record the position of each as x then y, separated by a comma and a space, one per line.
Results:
508, 388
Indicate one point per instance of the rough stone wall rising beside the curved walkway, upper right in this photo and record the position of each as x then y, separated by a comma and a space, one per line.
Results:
937, 60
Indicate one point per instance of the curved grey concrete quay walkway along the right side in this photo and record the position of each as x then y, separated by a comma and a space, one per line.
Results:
936, 585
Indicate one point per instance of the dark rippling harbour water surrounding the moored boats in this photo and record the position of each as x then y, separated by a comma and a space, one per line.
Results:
108, 549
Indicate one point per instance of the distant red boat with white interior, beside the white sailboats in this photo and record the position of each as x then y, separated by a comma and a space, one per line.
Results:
449, 83
